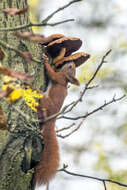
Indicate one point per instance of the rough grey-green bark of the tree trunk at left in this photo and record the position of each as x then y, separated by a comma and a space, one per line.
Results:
24, 144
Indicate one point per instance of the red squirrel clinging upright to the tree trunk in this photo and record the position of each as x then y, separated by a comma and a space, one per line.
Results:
50, 104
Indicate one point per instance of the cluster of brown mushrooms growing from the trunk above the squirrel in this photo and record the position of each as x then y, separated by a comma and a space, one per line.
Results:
60, 48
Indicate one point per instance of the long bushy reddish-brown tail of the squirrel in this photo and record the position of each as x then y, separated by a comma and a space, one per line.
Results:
47, 167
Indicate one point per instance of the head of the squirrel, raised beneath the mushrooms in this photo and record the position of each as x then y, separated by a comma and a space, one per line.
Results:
69, 69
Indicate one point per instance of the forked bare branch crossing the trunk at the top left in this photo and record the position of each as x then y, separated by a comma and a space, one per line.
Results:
45, 21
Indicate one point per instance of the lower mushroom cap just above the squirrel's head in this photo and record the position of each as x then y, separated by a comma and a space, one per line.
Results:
78, 58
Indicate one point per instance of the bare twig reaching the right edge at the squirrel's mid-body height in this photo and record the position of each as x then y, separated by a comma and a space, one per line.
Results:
95, 110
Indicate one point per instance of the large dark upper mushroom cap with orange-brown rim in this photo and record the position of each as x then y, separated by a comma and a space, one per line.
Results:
70, 43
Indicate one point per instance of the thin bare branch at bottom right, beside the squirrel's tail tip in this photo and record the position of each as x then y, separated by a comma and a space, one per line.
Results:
90, 177
